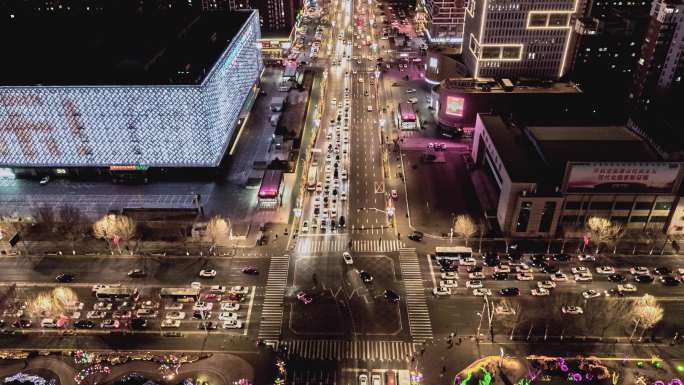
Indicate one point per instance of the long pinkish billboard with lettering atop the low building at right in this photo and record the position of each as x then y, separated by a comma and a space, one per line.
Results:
611, 177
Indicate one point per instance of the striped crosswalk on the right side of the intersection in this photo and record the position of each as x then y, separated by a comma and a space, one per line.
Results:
416, 305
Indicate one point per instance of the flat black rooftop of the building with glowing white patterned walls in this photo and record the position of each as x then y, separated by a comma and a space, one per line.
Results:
115, 48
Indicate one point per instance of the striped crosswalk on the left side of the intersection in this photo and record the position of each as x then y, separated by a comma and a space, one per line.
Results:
272, 309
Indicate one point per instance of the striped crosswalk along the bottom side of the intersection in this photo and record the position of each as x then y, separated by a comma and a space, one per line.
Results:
350, 350
